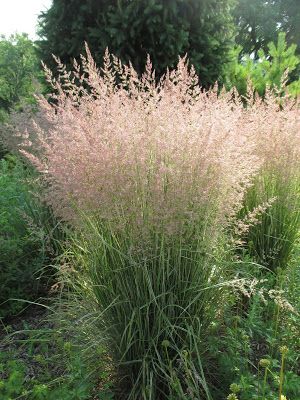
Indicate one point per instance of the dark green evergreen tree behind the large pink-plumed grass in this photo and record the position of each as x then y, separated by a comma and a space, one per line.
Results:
131, 29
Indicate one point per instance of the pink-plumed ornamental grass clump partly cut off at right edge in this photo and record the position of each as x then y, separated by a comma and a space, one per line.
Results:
275, 128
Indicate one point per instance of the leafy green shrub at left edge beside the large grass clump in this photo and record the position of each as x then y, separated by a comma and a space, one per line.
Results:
26, 235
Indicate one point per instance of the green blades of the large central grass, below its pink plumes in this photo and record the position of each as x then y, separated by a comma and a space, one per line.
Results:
156, 310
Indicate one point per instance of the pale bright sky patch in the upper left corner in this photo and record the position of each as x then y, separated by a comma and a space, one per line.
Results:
21, 16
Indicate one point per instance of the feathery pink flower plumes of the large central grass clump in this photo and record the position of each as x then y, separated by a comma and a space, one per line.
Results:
142, 155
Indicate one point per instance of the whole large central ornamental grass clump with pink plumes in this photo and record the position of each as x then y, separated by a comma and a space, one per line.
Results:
152, 175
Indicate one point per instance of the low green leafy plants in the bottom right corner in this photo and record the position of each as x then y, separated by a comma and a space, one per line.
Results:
276, 373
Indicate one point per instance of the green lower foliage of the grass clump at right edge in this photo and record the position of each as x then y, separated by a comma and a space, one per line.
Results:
271, 241
